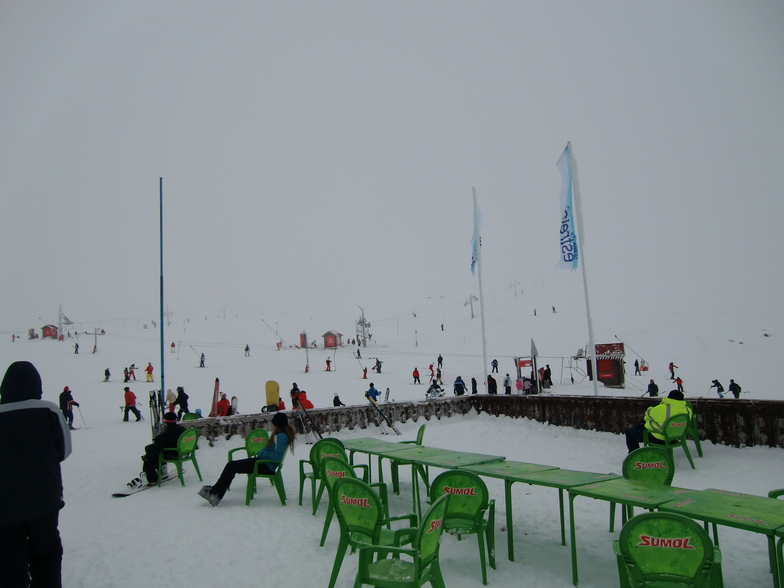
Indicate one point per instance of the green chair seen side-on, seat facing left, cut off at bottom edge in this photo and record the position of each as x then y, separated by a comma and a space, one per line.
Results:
424, 553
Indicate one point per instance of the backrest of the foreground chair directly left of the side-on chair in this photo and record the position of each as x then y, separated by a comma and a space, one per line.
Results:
358, 508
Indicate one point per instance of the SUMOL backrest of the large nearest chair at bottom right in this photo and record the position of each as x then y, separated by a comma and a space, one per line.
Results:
665, 546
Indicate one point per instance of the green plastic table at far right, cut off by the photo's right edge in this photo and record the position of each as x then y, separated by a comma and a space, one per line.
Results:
757, 514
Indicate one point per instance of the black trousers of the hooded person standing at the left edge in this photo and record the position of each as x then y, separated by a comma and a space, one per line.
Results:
31, 554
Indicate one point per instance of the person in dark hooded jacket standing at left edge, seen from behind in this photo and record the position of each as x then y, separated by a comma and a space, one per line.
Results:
38, 439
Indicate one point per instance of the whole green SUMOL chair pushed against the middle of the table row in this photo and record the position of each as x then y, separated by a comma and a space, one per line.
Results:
470, 511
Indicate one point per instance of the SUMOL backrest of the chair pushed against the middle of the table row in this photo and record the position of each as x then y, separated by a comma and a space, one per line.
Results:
469, 501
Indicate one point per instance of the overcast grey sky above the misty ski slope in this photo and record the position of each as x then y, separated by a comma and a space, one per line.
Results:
319, 156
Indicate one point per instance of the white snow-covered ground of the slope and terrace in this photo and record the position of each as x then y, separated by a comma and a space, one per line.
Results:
169, 535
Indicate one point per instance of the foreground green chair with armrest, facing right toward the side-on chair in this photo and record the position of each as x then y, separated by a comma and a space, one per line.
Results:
360, 514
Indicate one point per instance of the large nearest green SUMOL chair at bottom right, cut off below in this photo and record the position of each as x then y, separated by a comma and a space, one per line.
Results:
664, 549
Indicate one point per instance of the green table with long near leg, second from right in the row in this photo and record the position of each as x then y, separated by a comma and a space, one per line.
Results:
623, 491
